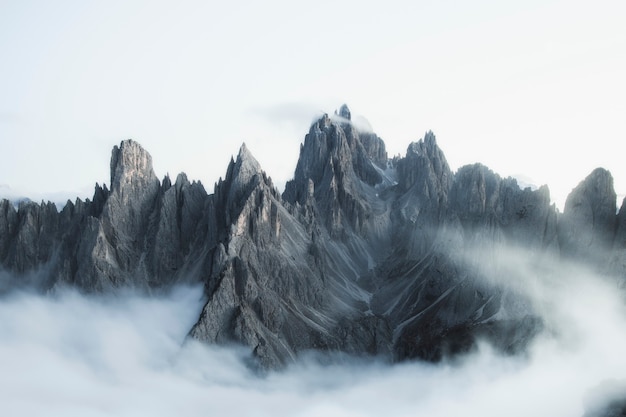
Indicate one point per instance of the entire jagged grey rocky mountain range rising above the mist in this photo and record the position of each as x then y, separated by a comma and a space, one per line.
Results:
361, 253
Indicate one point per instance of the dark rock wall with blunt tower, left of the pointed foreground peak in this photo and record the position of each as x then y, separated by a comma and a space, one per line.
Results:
137, 234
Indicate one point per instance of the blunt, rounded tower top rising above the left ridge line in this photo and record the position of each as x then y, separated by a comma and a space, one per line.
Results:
130, 160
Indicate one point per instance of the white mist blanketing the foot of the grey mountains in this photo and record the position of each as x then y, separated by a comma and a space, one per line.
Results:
75, 355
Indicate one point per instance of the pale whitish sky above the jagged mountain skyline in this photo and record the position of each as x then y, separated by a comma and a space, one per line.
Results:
528, 88
